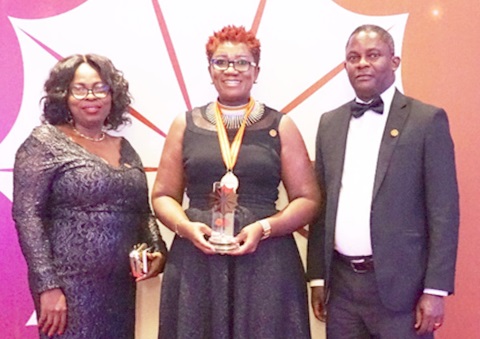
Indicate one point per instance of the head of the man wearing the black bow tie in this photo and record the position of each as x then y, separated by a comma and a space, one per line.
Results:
370, 64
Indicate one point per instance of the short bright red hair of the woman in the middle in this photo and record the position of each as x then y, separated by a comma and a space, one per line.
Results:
234, 34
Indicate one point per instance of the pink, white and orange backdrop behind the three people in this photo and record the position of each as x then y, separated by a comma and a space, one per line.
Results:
303, 41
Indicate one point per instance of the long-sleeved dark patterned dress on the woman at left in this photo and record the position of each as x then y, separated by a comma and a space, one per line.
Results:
77, 218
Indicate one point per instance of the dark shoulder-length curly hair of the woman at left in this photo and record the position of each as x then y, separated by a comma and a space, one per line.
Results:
55, 101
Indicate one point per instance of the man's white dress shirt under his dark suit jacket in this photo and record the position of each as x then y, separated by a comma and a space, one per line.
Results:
352, 230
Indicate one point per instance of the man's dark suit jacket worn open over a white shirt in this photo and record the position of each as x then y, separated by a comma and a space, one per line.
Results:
414, 211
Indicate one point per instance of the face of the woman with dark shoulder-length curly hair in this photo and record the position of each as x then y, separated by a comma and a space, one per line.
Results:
88, 113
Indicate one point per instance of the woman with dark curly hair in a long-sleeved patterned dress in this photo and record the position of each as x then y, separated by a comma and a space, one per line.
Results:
81, 203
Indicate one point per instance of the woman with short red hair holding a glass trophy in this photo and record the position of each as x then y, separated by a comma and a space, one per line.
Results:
230, 156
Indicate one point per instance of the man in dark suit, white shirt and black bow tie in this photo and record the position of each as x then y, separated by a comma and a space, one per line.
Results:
382, 257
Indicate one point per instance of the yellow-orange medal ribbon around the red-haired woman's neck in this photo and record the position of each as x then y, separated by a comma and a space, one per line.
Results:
230, 152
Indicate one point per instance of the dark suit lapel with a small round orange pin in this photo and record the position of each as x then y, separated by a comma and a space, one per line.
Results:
393, 131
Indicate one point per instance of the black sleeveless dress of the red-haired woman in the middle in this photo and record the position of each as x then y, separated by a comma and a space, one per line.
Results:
260, 295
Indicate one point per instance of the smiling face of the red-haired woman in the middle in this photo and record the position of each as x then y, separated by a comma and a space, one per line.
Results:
233, 87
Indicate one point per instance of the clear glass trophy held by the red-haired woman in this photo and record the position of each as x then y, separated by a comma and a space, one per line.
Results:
223, 214
